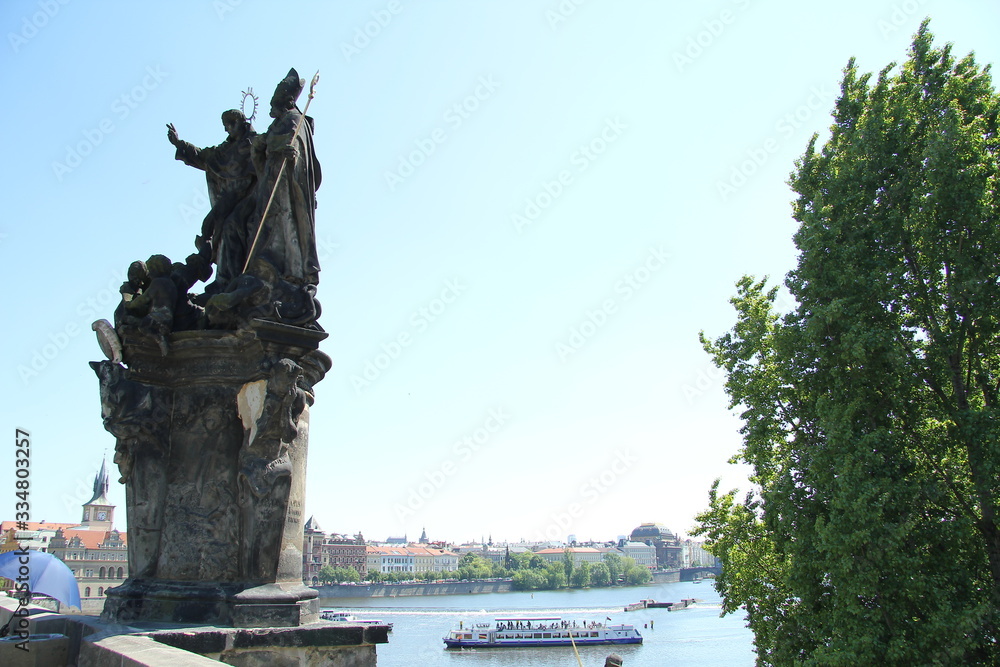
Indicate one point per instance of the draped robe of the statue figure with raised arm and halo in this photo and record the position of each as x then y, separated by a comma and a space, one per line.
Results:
231, 177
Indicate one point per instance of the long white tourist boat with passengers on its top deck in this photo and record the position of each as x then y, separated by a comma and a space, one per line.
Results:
539, 631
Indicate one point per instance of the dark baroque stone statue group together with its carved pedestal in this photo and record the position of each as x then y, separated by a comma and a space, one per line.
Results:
208, 394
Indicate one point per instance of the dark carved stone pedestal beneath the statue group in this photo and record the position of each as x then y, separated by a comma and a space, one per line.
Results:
212, 445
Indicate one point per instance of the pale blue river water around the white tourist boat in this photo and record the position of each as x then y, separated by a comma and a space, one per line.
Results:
695, 636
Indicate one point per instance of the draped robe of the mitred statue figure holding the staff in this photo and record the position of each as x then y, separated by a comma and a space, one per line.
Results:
288, 236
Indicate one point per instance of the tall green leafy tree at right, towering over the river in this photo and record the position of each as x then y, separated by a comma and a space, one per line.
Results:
872, 410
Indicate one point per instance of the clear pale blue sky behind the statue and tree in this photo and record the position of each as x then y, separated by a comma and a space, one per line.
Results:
528, 212
